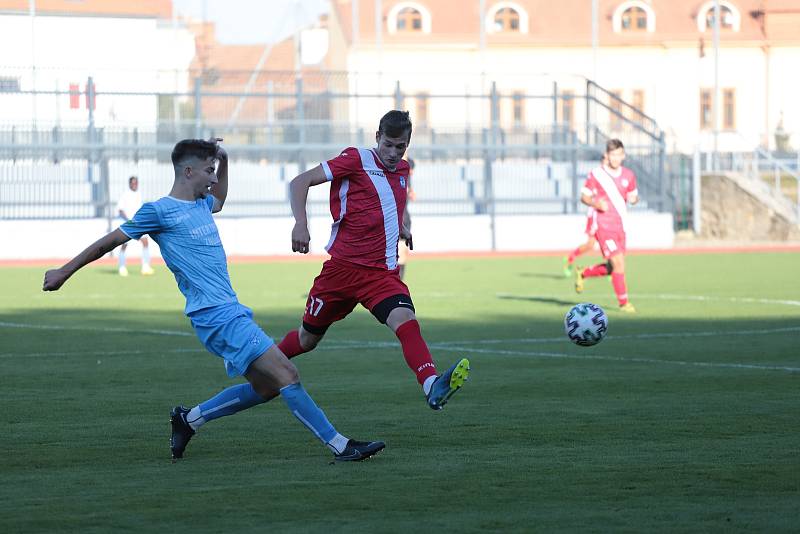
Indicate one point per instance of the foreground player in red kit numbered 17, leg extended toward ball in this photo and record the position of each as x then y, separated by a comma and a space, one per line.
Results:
369, 189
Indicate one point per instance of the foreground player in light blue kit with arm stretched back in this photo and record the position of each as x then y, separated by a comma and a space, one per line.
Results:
182, 225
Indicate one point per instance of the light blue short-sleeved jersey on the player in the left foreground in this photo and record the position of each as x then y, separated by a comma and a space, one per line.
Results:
190, 245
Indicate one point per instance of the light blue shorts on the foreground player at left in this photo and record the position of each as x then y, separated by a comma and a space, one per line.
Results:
230, 332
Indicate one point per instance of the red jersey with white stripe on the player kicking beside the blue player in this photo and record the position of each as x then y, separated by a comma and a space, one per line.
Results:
367, 203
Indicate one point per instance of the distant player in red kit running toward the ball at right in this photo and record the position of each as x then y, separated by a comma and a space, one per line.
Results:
608, 189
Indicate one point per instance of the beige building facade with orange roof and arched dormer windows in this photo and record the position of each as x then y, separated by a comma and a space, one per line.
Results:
657, 55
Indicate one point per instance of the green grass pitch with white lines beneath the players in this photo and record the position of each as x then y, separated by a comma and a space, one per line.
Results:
685, 418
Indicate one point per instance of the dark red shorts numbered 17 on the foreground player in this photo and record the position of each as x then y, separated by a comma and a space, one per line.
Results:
341, 285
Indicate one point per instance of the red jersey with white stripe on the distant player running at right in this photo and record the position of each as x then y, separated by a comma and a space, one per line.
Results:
601, 184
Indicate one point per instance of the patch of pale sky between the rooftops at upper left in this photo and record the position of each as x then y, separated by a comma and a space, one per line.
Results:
253, 21
